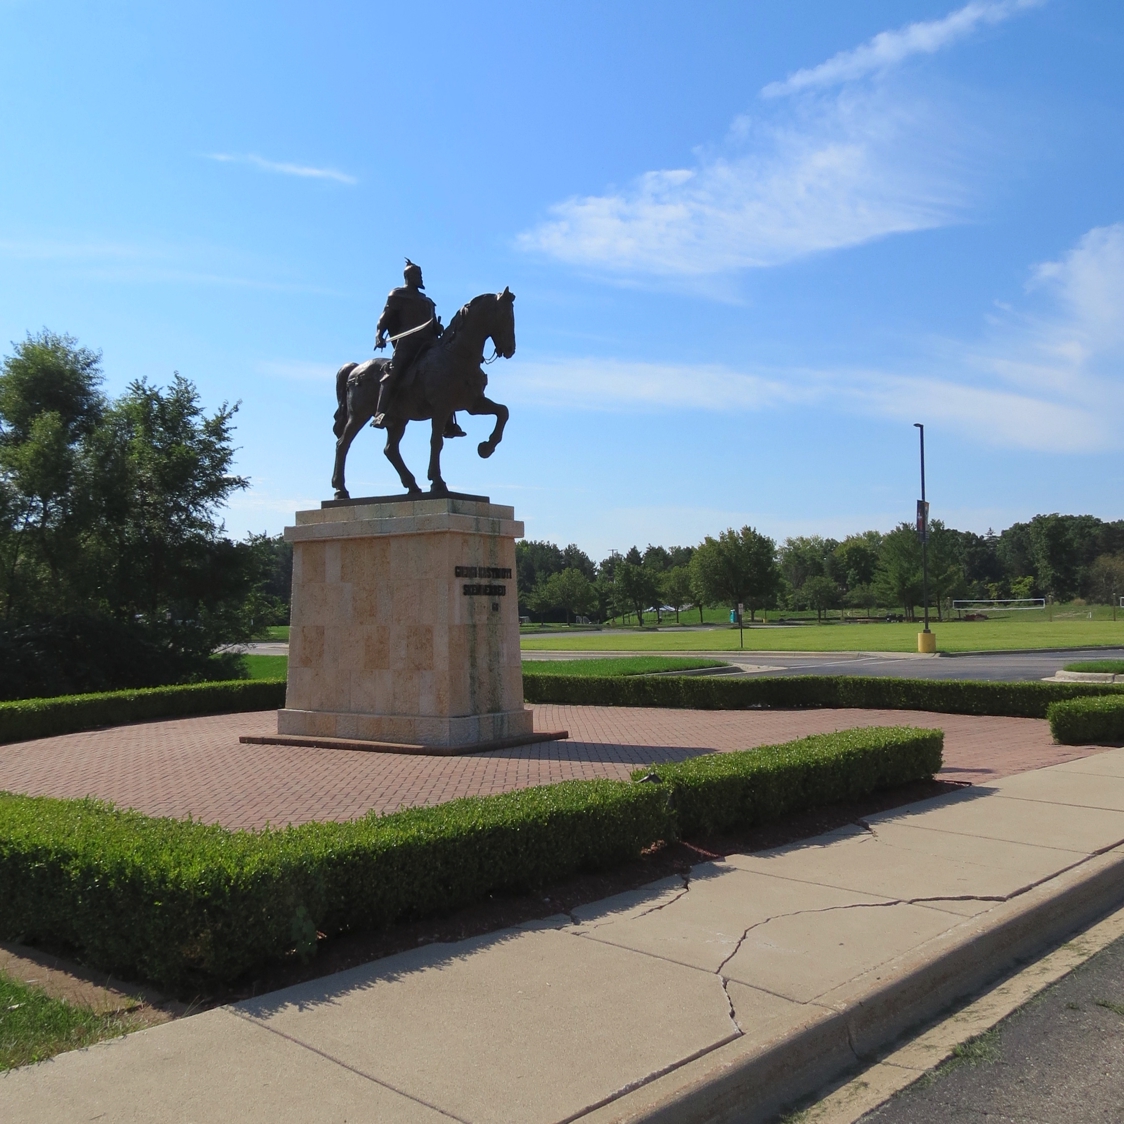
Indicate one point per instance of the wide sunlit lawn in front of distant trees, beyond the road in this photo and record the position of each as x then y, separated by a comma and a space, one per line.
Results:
951, 637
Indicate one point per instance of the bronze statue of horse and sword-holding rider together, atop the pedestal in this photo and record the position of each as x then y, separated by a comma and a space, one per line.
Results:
432, 374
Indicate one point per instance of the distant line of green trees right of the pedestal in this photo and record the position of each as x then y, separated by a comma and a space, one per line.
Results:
1059, 558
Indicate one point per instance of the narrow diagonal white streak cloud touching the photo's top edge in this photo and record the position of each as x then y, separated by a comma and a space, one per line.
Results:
889, 49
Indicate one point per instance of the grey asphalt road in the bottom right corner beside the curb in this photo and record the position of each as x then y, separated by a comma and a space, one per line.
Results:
1058, 1060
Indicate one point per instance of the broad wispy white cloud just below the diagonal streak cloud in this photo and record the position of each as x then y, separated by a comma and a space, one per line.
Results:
833, 178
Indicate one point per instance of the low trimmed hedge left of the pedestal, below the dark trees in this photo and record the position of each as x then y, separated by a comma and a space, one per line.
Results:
26, 719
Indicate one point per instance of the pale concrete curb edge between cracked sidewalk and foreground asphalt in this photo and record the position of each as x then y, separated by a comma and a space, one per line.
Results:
750, 1083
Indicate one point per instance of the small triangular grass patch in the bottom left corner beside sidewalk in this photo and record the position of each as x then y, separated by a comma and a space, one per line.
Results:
34, 1027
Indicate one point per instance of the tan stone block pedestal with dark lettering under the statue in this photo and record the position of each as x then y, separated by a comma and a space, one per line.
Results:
406, 624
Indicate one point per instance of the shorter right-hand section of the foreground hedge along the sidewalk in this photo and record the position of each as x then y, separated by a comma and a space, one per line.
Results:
729, 792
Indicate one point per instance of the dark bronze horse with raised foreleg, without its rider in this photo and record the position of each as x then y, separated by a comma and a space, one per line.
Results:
446, 378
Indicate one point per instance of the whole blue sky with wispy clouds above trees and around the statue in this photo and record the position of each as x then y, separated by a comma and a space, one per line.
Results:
751, 243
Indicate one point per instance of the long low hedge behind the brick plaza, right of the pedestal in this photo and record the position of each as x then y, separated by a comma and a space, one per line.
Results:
705, 693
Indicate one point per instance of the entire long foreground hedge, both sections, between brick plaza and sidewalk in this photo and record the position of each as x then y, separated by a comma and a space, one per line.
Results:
191, 907
